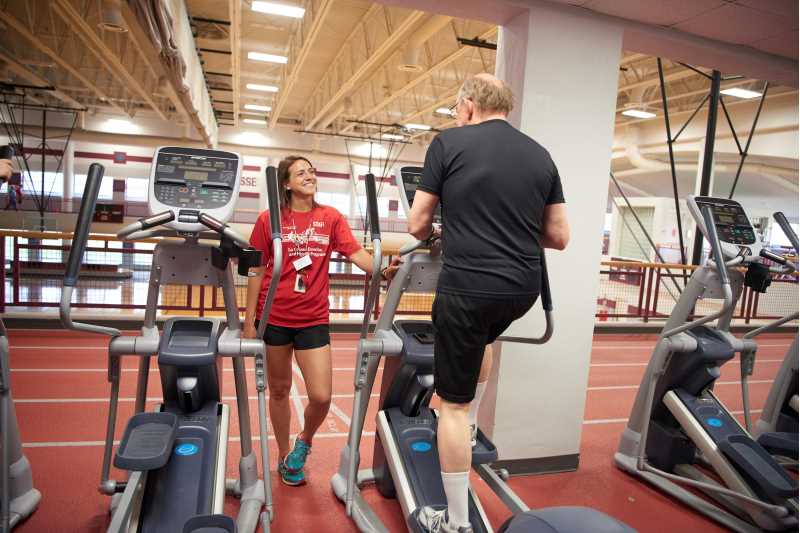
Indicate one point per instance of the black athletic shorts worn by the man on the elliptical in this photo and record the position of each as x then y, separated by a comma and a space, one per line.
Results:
464, 326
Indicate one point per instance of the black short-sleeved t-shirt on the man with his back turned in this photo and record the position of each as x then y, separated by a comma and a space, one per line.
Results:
493, 182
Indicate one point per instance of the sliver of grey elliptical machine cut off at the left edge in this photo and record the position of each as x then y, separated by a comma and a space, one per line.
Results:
18, 497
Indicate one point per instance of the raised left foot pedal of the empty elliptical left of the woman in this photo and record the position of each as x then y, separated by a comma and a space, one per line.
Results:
147, 441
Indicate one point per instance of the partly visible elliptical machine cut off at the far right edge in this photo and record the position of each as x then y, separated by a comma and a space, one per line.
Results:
777, 428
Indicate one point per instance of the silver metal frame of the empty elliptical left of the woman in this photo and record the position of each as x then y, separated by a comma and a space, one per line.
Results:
191, 265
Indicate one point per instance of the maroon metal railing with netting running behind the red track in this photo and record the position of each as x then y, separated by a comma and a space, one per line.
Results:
115, 276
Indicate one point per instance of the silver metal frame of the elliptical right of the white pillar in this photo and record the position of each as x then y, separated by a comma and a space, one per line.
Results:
738, 507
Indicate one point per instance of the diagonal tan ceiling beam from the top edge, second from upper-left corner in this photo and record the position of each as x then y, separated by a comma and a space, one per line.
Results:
97, 46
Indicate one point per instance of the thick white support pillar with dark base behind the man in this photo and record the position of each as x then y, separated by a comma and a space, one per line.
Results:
563, 69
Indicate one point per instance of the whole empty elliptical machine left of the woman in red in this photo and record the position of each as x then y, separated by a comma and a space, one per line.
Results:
176, 456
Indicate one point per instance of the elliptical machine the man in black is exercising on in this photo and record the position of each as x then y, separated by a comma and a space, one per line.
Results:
405, 457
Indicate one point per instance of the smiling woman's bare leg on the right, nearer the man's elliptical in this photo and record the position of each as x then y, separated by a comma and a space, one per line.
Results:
315, 364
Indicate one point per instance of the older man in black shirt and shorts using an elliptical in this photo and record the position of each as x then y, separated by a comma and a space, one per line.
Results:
501, 204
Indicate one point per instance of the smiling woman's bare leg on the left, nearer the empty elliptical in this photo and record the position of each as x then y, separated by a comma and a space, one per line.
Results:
279, 384
